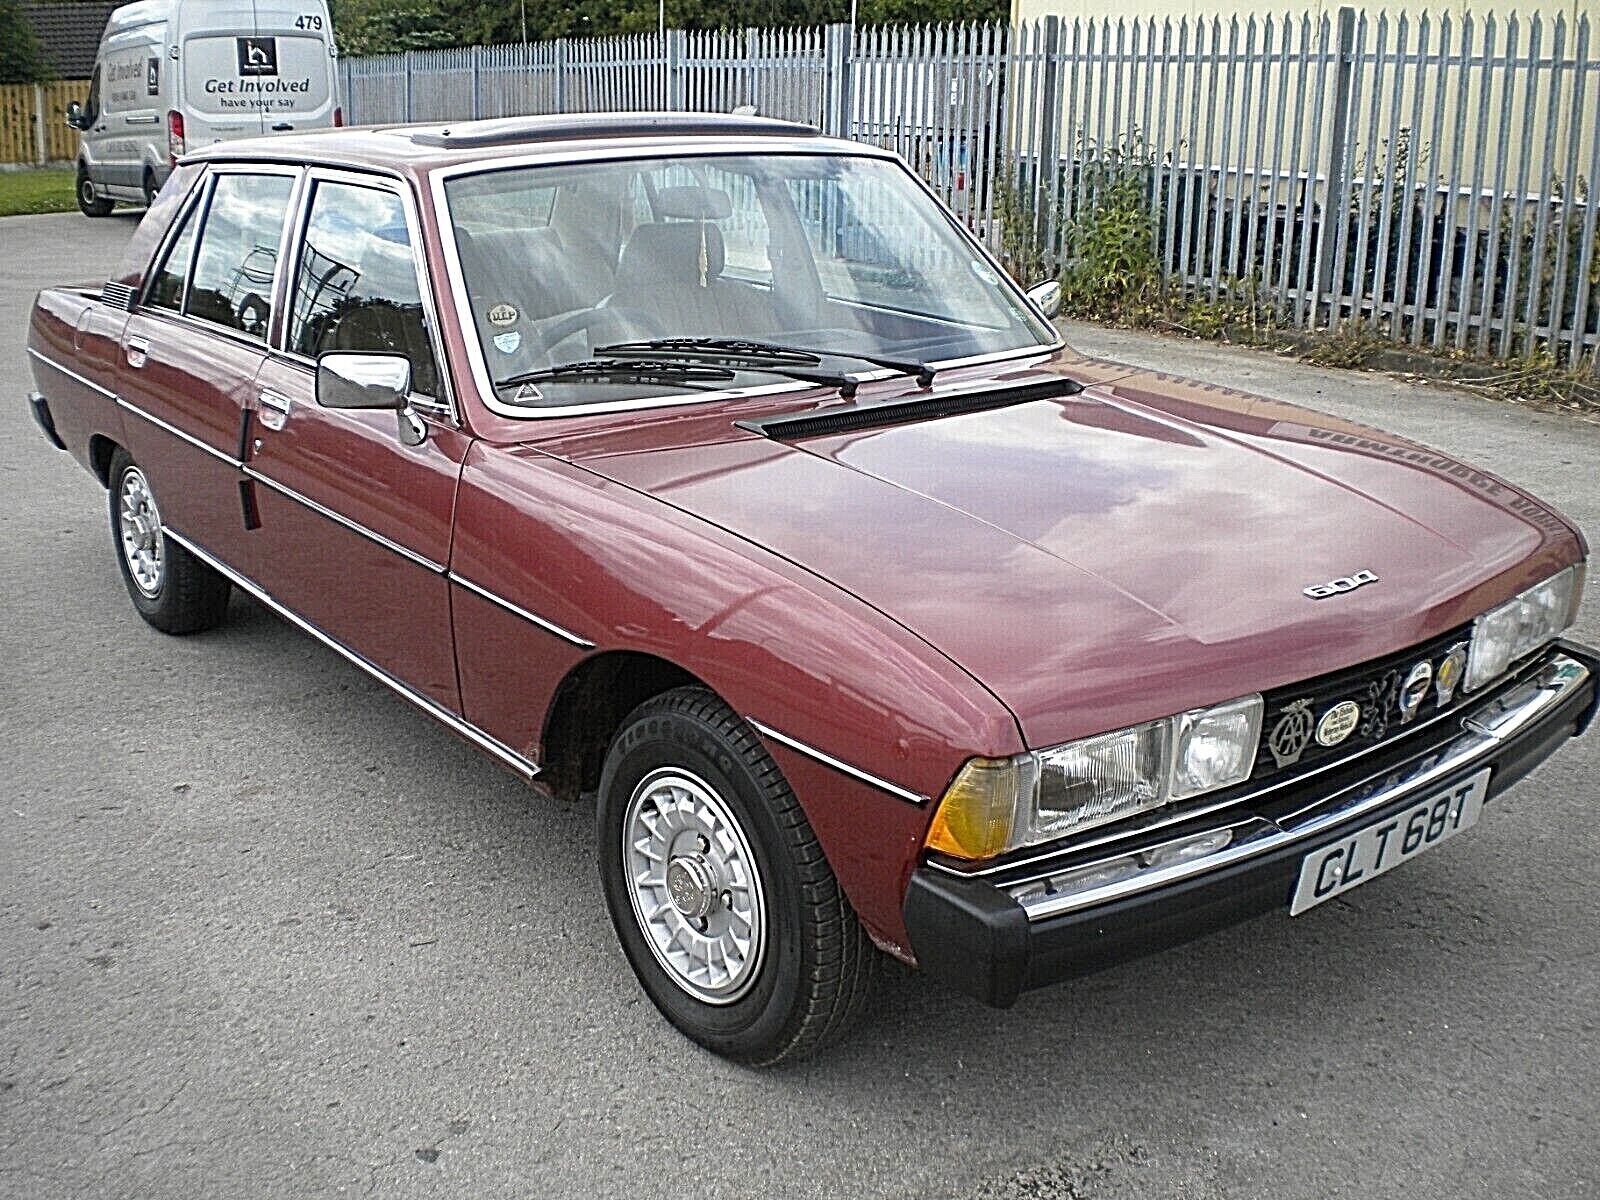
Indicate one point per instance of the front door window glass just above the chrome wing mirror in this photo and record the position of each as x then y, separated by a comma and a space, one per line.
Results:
358, 286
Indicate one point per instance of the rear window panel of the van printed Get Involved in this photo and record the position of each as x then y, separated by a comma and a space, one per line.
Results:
244, 76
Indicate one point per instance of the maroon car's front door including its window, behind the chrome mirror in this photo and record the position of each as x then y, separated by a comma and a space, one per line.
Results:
354, 524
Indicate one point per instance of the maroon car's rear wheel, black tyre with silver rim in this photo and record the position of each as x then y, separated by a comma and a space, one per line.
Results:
170, 588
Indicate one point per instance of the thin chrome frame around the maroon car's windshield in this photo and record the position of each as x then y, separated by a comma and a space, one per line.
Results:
633, 150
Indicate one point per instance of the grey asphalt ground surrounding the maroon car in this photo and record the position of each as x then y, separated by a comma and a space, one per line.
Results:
265, 930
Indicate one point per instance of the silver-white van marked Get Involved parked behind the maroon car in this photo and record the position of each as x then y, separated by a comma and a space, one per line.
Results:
178, 74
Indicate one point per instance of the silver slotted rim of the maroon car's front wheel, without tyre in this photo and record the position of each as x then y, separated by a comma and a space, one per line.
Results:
694, 886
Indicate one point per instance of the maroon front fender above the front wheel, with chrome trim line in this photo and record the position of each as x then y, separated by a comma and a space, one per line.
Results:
594, 566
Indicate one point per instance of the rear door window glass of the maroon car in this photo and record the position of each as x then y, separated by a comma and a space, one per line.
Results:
239, 252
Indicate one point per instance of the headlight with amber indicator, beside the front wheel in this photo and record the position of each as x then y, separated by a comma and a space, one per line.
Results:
1004, 804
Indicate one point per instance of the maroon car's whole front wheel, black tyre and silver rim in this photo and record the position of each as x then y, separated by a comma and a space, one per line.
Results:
718, 887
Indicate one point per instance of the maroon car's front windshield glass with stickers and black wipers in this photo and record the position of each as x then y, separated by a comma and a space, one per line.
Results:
842, 257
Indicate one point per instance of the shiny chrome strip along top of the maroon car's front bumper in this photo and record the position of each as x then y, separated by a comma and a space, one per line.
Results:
1522, 705
